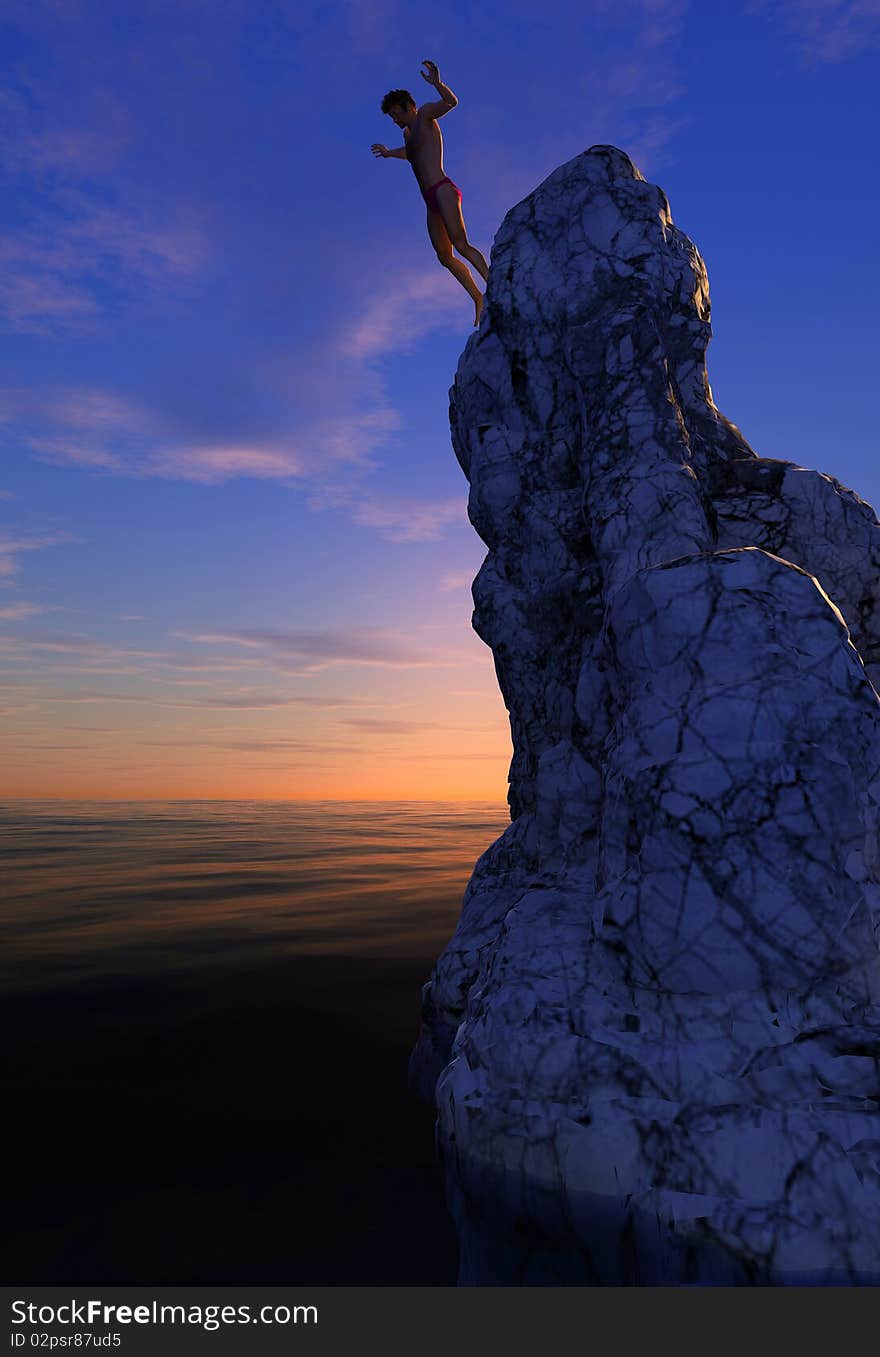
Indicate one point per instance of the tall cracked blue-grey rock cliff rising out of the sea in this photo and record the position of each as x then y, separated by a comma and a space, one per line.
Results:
654, 1040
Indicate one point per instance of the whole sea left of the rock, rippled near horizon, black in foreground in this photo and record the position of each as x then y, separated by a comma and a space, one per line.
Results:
208, 1009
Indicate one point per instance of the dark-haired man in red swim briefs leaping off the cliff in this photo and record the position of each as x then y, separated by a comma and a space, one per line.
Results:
423, 147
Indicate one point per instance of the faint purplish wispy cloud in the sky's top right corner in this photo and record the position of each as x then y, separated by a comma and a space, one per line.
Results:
826, 32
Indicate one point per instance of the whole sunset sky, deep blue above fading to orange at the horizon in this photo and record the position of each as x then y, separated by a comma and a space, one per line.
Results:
236, 558
